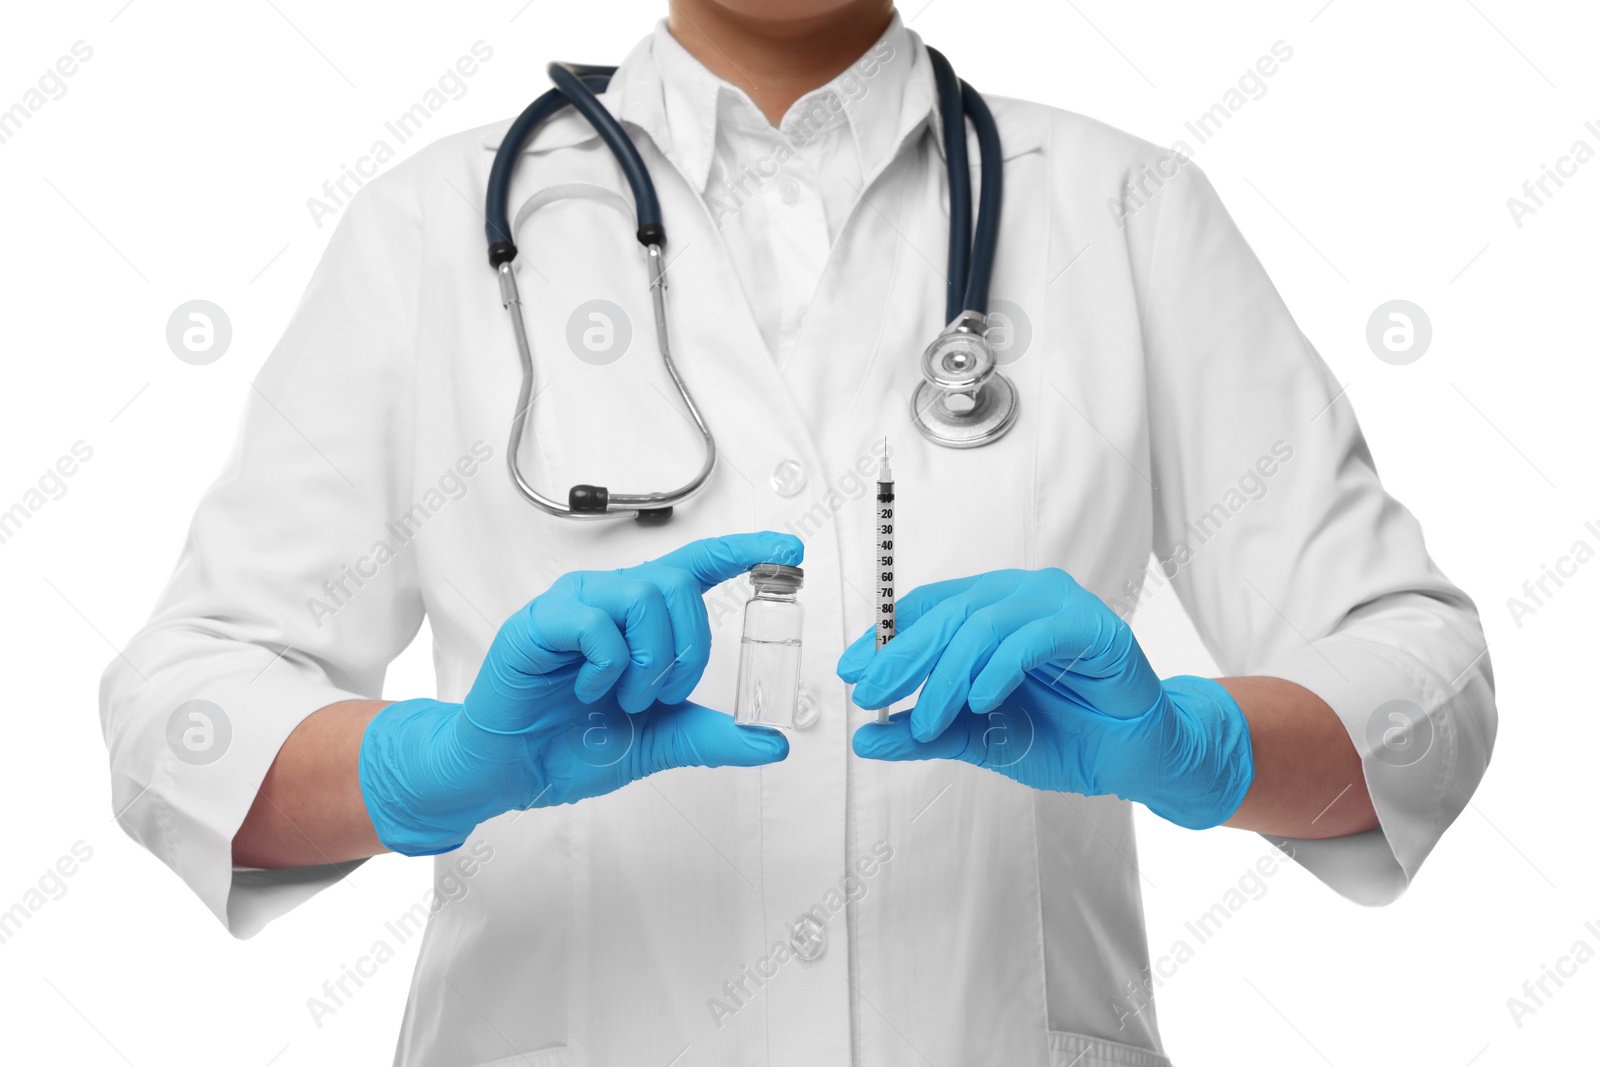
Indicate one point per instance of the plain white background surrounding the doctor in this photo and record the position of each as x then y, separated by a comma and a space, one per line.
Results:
1377, 167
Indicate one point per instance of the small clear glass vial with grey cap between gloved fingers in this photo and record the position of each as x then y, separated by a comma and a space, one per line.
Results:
770, 652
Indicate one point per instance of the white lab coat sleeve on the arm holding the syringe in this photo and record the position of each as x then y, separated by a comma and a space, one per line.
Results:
1286, 549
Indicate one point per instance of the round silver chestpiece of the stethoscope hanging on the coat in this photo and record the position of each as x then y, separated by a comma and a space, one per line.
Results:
962, 402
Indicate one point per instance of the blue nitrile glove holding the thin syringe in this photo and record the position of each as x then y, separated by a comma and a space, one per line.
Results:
1031, 676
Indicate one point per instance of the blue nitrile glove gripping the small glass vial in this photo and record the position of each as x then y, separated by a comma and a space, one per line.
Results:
582, 693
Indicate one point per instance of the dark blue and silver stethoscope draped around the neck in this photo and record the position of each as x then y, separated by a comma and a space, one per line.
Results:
962, 399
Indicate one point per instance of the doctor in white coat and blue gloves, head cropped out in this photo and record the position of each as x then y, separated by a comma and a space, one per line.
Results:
956, 887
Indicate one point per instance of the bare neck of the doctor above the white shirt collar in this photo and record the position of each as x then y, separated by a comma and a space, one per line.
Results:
777, 60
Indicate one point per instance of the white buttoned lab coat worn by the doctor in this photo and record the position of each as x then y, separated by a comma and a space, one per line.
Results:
986, 924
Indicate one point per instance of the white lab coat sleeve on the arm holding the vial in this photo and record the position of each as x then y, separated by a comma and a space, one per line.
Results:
281, 602
